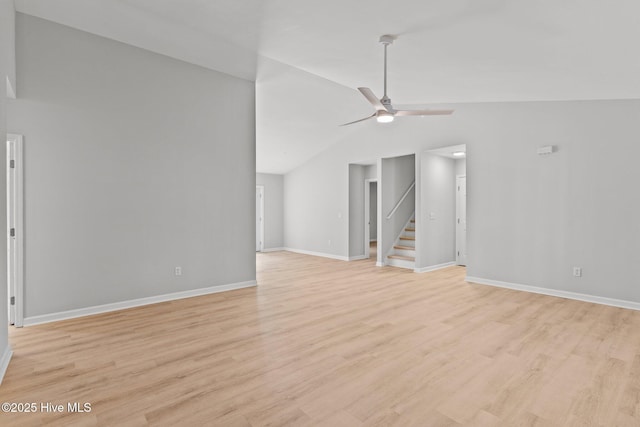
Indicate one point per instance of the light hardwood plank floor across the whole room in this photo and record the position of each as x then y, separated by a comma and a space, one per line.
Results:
333, 343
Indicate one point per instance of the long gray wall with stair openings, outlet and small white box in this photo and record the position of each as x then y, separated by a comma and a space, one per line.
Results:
530, 218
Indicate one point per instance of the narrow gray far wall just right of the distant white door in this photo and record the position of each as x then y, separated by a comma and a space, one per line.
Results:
273, 209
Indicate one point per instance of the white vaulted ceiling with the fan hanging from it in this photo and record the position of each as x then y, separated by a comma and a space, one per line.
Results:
308, 57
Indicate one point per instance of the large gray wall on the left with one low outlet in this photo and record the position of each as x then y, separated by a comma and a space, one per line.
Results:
135, 164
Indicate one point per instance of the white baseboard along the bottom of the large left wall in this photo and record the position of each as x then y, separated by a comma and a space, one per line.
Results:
105, 308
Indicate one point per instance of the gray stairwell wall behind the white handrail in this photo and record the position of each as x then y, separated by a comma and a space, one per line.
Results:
396, 175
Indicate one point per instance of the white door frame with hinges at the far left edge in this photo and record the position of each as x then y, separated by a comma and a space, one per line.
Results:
15, 220
